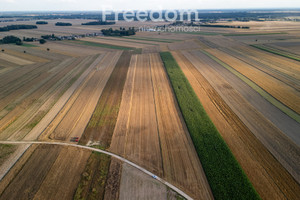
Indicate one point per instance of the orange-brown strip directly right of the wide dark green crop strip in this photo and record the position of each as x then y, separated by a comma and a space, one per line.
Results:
260, 166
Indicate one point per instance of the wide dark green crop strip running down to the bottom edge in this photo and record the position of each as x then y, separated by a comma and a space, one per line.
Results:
224, 174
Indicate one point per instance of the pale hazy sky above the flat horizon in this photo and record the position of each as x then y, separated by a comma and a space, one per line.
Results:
72, 5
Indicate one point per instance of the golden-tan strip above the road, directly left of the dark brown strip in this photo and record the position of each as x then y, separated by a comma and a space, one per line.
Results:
71, 121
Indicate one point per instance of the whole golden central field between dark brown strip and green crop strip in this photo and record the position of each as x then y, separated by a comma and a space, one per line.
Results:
151, 124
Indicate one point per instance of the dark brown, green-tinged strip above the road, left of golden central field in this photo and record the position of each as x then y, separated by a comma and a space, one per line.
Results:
101, 125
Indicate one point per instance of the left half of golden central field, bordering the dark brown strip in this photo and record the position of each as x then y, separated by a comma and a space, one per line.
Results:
136, 132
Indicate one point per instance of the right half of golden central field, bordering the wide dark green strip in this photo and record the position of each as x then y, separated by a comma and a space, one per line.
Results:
180, 161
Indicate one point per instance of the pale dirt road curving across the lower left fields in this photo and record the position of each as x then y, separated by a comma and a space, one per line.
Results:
107, 153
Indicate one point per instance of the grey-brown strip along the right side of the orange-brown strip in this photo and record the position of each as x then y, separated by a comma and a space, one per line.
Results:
224, 82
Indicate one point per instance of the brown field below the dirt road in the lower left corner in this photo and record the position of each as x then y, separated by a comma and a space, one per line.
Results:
49, 173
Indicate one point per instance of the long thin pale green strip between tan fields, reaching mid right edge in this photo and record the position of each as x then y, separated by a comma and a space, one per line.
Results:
258, 89
